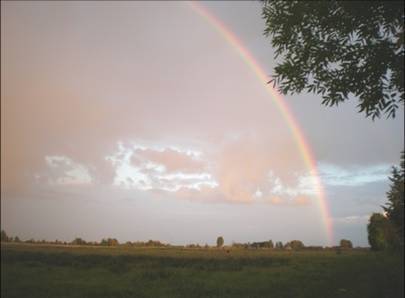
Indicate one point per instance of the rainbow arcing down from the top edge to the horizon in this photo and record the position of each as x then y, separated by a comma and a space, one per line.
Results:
281, 104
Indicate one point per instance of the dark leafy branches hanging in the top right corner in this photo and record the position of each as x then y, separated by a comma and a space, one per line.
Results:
338, 49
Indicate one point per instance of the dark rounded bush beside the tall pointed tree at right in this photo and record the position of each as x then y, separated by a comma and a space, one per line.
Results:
381, 233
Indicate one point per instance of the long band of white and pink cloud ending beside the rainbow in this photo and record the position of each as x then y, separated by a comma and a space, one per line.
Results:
236, 174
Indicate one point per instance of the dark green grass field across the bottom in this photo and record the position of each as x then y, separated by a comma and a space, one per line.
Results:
50, 271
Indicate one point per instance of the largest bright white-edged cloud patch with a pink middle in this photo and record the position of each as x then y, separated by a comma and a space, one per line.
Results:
161, 168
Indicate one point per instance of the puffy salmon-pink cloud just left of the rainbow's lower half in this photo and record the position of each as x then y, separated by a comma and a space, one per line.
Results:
247, 163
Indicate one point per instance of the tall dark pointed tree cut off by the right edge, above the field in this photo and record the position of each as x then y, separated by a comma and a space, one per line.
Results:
394, 209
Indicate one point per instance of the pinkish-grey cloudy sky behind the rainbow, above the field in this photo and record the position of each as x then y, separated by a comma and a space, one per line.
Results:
139, 120
